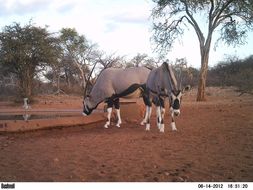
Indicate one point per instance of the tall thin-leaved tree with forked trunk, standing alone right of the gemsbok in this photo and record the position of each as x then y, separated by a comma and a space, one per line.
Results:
232, 18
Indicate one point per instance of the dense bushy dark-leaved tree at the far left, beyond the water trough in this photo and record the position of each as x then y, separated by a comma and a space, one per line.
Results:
25, 51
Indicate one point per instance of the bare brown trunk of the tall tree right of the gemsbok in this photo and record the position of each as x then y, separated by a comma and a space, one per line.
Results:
201, 95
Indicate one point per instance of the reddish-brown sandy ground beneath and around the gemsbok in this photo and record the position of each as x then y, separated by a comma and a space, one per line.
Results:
213, 143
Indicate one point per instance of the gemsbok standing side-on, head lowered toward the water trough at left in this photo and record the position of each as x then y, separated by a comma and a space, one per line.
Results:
115, 83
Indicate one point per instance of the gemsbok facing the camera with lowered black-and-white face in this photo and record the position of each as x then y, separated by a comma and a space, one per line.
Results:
162, 83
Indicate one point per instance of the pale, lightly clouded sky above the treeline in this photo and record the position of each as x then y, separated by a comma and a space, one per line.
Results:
120, 27
